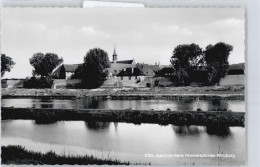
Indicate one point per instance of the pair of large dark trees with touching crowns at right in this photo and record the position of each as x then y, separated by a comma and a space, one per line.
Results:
189, 57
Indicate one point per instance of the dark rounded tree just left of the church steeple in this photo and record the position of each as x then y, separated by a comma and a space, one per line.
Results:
95, 68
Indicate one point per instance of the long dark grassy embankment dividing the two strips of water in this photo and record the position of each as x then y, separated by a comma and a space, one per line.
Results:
203, 118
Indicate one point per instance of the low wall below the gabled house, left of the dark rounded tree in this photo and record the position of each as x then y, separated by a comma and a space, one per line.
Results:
66, 83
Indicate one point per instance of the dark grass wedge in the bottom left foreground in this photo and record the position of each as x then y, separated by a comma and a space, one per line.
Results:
19, 155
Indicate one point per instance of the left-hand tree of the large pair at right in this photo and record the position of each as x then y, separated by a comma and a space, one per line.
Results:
183, 58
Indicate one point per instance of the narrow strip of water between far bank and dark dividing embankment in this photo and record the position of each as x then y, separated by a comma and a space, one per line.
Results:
175, 105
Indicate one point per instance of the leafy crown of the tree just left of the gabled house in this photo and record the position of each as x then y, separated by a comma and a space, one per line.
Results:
44, 64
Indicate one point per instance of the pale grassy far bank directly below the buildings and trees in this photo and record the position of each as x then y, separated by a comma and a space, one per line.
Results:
80, 93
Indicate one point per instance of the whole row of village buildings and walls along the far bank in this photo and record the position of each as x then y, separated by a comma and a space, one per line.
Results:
129, 73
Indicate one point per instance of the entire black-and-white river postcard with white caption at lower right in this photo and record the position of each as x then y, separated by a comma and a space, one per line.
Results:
123, 86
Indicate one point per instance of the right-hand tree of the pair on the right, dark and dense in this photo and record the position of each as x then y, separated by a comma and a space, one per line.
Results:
216, 60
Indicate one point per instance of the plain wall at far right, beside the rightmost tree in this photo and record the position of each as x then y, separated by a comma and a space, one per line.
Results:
233, 80
